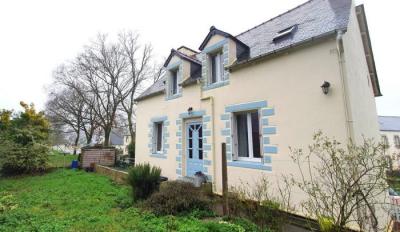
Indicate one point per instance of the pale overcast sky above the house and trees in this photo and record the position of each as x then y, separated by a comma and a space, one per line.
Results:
36, 36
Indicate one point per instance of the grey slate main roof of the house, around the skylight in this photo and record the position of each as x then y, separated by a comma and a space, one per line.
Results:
314, 19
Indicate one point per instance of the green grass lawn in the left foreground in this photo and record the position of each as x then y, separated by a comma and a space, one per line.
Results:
67, 200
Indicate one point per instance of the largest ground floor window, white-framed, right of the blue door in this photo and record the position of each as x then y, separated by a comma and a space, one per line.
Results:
247, 136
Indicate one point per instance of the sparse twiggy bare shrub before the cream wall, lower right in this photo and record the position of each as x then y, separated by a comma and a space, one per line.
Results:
344, 184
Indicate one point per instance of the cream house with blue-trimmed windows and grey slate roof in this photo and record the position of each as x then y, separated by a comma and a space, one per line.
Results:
260, 92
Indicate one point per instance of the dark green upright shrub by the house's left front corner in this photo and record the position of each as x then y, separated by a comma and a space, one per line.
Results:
144, 180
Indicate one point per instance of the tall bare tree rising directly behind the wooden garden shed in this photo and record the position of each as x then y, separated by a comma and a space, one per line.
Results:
102, 70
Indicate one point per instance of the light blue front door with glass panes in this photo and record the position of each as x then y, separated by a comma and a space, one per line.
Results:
194, 148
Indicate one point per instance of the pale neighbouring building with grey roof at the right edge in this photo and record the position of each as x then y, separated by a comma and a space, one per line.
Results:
390, 134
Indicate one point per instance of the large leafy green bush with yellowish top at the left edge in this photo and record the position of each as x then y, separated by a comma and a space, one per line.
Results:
24, 141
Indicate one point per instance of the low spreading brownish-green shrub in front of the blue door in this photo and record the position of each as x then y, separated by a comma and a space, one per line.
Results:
176, 198
